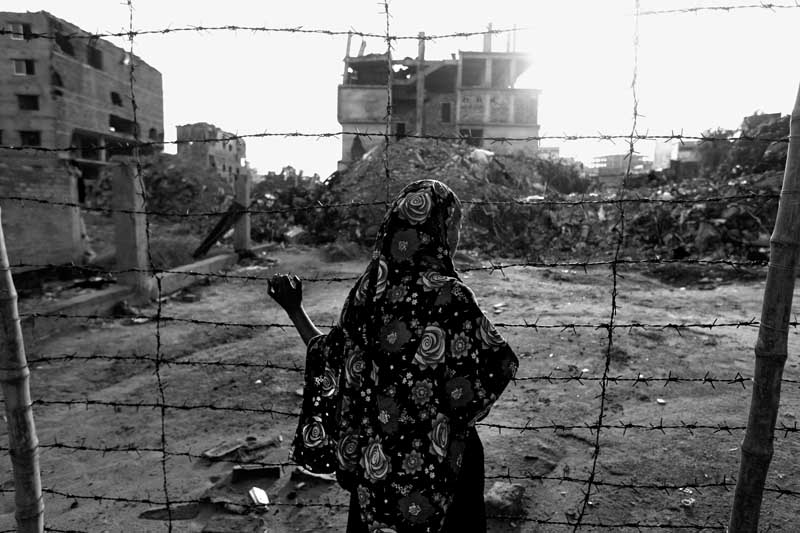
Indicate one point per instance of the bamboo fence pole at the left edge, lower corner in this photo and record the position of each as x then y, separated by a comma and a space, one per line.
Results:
23, 443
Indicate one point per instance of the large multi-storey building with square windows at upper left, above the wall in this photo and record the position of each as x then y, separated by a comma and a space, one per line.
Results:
60, 87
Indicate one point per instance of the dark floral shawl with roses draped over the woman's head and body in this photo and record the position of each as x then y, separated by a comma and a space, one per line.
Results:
391, 391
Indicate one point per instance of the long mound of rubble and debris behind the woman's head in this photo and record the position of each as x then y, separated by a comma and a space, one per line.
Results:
513, 208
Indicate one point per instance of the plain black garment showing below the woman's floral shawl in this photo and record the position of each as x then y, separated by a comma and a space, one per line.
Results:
468, 510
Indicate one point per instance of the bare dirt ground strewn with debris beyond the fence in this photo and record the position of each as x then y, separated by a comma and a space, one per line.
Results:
75, 479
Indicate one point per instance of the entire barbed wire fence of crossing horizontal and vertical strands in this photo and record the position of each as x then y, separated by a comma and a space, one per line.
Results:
596, 428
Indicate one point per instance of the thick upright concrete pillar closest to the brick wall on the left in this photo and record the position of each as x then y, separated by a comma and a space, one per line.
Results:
130, 231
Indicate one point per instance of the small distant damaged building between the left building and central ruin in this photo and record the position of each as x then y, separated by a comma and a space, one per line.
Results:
210, 147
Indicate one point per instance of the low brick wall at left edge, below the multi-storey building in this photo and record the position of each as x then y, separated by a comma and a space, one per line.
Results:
38, 233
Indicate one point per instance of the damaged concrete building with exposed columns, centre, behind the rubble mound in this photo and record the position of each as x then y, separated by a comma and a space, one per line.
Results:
472, 96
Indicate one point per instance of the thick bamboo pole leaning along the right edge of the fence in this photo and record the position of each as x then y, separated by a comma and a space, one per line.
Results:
770, 349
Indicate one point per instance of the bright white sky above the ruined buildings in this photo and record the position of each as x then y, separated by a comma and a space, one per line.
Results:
694, 71
